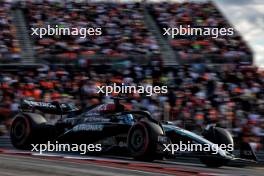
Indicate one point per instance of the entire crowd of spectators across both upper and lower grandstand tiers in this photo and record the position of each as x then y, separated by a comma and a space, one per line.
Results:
231, 96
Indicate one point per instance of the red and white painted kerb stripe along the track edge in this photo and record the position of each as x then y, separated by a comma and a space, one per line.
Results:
114, 163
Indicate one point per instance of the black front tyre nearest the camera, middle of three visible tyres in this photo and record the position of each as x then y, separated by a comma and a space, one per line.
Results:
140, 144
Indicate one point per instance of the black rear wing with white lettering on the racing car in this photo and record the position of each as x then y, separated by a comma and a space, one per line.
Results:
47, 107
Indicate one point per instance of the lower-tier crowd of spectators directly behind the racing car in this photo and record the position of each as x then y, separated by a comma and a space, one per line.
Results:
230, 96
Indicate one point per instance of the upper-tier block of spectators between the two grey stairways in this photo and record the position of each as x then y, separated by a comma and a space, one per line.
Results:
122, 25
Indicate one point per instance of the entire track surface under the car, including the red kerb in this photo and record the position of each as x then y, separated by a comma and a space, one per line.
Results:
24, 163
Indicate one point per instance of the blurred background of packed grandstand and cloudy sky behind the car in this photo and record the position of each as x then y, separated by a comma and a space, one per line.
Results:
210, 80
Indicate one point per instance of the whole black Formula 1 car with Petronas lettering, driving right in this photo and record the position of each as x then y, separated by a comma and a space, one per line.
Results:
112, 126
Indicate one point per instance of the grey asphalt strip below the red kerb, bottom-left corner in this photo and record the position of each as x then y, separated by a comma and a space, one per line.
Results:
11, 165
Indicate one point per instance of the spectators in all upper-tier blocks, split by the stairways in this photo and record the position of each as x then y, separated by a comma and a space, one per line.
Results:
124, 31
